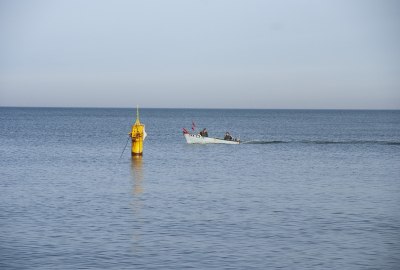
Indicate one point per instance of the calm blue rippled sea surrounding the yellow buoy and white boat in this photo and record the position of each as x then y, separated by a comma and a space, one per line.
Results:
308, 190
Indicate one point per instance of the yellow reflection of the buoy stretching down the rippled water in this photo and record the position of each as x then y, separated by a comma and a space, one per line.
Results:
136, 201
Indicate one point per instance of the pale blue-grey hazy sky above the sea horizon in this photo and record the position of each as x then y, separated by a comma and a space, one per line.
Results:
281, 54
